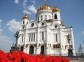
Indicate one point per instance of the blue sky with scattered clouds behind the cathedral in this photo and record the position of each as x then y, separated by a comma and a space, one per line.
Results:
11, 12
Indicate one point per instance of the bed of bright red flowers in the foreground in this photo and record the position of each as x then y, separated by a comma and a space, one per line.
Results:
18, 56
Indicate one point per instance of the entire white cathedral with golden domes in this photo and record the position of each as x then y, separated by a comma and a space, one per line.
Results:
47, 35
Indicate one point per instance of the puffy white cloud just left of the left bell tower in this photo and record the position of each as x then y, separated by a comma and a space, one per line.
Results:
13, 25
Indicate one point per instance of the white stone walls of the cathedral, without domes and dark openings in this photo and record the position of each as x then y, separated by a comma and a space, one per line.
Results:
50, 30
